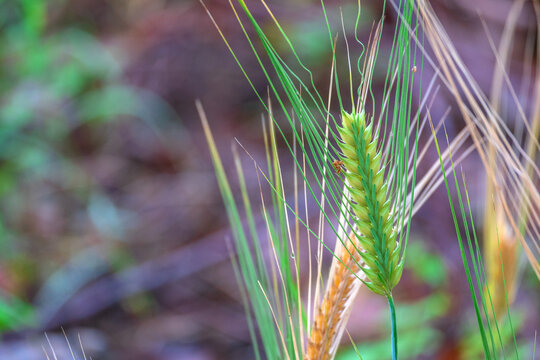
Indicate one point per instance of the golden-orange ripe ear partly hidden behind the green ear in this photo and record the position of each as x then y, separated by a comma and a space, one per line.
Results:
333, 310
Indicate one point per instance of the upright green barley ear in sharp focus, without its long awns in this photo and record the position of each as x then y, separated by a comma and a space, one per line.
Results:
366, 183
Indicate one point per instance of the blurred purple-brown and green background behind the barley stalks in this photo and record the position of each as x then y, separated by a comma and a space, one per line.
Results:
112, 226
